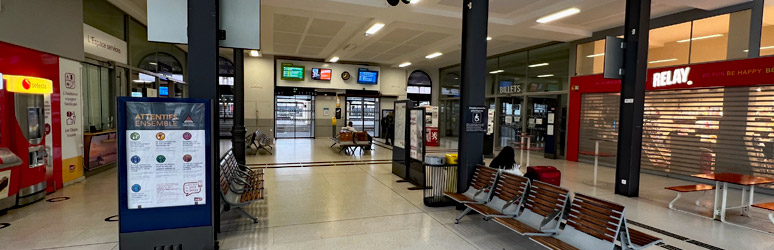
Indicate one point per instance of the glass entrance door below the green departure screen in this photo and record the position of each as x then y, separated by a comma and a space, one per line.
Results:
294, 116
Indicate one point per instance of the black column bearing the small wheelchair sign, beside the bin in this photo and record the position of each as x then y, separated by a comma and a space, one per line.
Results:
475, 16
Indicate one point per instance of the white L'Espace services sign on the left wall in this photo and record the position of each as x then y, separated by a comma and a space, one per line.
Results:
102, 44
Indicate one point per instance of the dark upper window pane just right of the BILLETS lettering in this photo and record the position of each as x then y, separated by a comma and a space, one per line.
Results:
547, 68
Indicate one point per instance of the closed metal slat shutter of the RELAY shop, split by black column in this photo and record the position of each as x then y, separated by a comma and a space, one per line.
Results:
692, 131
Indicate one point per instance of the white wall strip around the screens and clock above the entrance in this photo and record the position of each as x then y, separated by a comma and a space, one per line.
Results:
335, 83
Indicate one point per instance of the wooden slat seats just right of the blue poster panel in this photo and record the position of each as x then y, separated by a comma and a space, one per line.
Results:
239, 186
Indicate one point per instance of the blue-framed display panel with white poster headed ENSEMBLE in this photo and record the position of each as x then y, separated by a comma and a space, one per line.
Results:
165, 166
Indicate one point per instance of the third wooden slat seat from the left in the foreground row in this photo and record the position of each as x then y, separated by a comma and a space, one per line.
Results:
544, 207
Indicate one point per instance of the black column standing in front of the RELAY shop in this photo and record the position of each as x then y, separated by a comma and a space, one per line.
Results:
635, 64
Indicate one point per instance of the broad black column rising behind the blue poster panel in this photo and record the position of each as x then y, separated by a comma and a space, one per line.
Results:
203, 78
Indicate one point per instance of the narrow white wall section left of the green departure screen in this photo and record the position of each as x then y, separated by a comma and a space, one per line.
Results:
259, 93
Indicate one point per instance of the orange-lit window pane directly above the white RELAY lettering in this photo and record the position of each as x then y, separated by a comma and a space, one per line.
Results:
669, 45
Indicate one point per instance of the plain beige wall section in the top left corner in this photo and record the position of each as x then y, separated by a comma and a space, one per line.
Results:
53, 26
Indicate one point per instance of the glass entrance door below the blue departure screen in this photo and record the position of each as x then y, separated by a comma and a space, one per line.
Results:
363, 112
